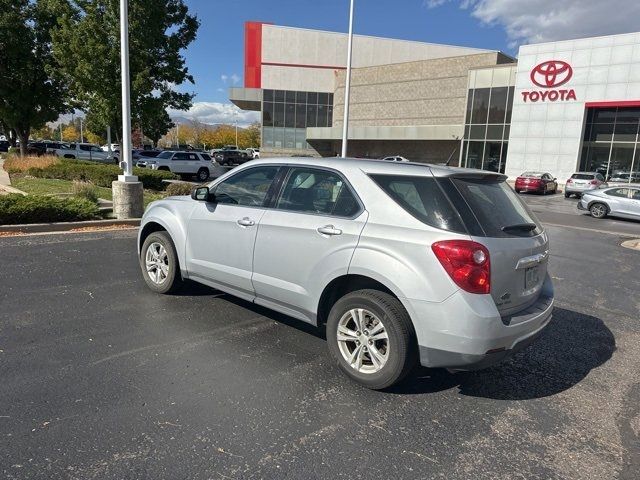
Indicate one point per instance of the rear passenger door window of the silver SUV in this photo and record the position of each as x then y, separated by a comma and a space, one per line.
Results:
310, 190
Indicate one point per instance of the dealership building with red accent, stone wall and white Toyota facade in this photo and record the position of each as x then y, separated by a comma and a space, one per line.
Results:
560, 107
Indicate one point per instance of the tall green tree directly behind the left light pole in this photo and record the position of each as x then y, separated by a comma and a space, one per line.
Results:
86, 44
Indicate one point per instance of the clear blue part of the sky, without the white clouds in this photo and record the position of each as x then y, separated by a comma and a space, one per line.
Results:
218, 50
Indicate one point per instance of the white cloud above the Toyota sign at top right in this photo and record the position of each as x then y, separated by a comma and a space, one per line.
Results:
550, 20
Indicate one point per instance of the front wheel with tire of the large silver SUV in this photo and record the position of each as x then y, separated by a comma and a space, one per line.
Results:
159, 263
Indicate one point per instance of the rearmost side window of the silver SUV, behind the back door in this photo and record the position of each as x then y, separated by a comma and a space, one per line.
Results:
422, 198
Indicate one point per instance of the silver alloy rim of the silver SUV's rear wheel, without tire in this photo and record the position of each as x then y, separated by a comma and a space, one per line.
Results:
363, 341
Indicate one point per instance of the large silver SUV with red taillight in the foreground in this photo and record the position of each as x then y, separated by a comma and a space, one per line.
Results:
402, 262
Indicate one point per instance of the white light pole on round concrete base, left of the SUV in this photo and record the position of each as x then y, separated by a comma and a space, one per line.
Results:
127, 190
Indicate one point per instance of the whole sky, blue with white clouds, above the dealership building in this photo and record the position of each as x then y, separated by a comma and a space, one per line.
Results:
216, 58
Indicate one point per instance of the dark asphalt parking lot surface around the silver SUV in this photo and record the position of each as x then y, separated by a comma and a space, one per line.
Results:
101, 378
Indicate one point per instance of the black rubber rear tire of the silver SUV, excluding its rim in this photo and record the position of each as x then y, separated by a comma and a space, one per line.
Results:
402, 356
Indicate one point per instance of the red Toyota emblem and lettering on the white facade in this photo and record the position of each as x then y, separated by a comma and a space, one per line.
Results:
549, 75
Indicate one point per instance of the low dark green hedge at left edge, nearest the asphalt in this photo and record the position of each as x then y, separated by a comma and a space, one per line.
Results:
16, 209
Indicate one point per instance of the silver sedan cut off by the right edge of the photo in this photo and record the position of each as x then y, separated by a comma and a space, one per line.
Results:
615, 201
